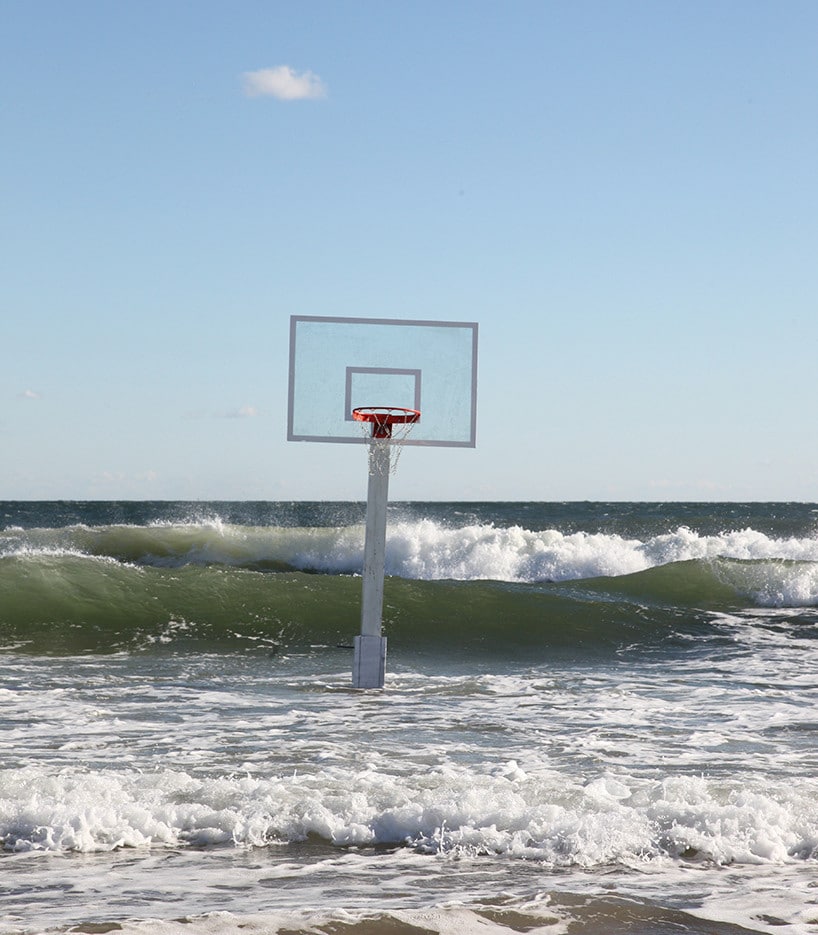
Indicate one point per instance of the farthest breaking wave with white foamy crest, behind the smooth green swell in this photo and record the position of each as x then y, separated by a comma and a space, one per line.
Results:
420, 549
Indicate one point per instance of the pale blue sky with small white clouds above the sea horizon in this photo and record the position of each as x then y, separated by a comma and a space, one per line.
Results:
622, 194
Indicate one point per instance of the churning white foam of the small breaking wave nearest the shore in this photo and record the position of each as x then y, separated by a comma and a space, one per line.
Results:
448, 810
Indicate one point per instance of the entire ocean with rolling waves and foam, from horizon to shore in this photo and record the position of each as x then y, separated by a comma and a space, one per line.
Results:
597, 718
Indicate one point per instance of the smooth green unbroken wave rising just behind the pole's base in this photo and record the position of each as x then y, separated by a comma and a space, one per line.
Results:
58, 603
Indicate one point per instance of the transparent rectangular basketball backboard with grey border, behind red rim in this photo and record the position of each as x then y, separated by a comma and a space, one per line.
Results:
339, 364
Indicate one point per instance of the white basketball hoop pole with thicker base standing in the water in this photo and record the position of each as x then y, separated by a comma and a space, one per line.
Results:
370, 646
